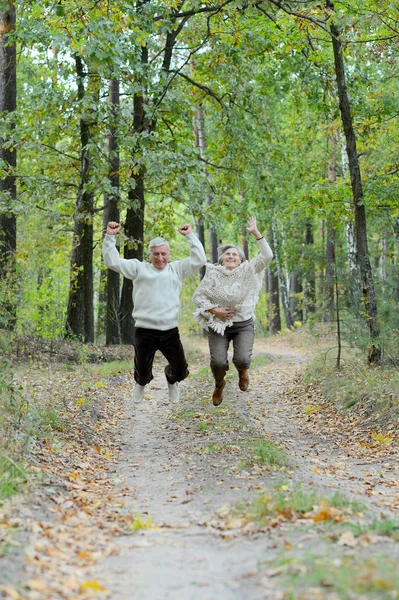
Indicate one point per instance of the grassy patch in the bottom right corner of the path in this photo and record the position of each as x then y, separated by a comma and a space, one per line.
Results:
347, 576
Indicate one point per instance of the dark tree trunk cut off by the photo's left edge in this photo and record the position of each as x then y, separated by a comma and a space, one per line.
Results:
8, 221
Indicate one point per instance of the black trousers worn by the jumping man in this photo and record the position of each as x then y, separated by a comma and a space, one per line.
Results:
147, 342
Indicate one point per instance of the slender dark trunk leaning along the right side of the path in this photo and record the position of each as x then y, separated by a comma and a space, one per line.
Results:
369, 297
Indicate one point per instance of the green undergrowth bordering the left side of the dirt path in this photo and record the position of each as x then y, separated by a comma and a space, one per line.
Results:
34, 407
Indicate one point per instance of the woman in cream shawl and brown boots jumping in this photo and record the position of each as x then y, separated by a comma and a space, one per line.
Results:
226, 300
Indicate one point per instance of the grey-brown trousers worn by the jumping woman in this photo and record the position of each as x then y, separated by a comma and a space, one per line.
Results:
242, 335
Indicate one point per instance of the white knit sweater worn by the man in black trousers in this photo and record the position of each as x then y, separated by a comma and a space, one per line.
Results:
156, 292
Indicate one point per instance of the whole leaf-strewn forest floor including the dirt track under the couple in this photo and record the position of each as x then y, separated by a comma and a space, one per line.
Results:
273, 495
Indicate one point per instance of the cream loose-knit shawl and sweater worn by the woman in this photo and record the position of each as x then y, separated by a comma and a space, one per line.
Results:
236, 288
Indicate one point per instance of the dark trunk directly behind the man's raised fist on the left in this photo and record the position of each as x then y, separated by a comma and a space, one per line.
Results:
111, 213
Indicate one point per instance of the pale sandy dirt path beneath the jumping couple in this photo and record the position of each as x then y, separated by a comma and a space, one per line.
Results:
187, 467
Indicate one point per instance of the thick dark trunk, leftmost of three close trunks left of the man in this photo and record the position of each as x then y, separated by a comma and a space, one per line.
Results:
80, 314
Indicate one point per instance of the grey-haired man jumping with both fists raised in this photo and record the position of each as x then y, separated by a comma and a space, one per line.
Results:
156, 292
